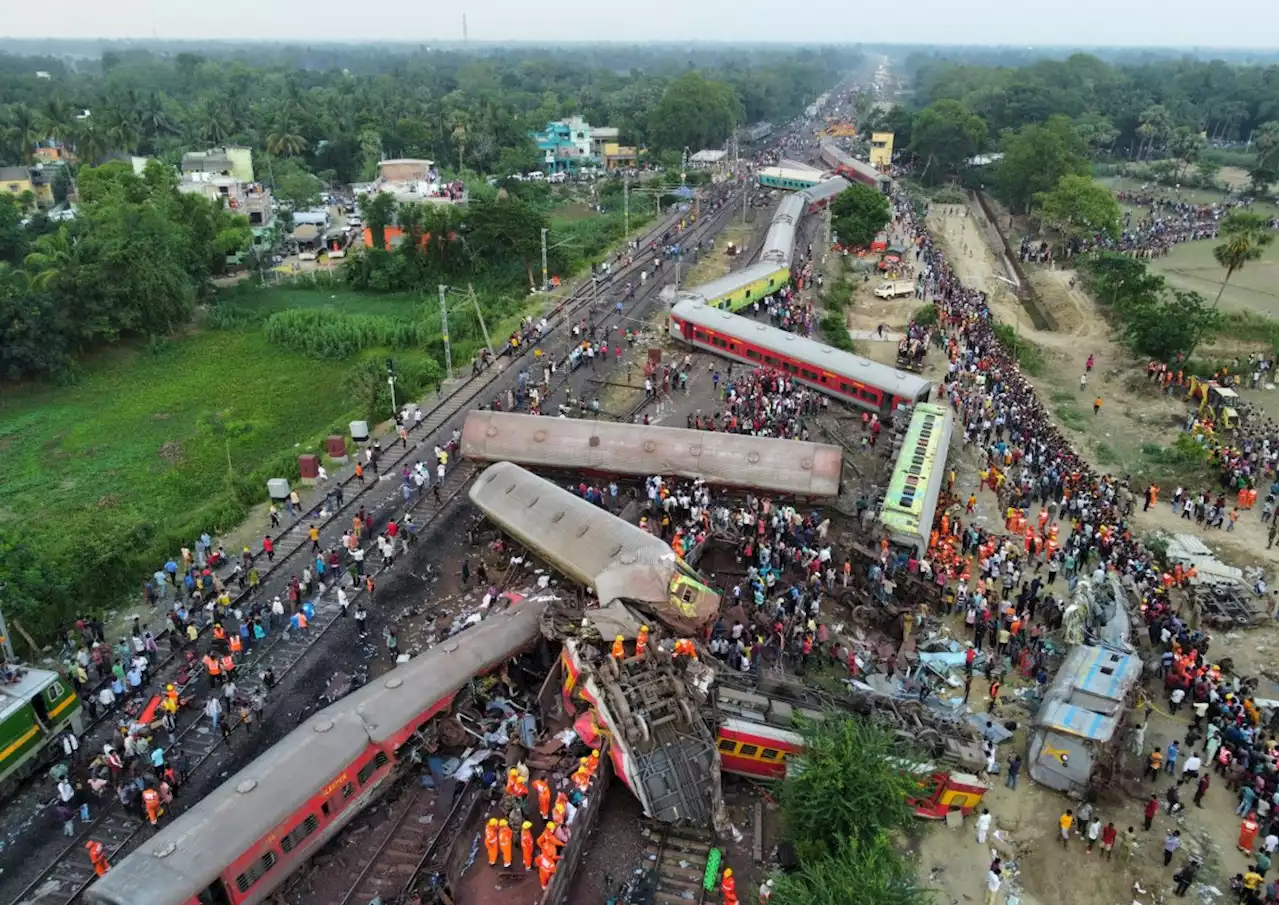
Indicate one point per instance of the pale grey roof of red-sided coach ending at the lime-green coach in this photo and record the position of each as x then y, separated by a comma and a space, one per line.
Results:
792, 345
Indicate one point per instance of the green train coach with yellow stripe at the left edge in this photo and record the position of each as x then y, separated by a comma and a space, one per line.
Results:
36, 706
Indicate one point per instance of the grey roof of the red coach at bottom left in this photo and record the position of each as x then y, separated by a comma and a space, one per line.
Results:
181, 861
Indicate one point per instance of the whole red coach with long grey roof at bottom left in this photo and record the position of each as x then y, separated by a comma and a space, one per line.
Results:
245, 839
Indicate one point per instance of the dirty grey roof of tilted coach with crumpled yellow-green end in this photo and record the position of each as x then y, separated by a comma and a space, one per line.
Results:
587, 543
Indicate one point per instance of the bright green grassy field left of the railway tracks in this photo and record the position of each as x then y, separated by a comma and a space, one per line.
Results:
106, 474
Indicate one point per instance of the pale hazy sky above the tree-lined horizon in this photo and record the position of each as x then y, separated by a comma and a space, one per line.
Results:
1185, 24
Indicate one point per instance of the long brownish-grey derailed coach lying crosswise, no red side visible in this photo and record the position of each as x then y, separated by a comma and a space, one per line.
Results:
762, 464
